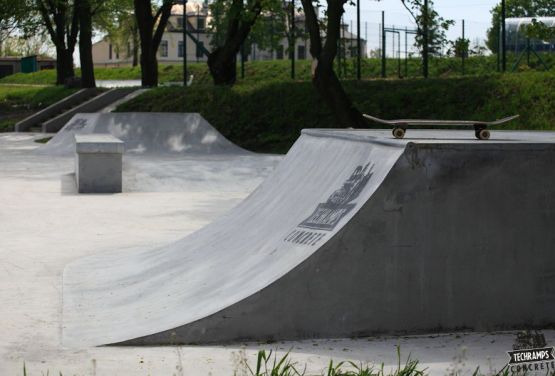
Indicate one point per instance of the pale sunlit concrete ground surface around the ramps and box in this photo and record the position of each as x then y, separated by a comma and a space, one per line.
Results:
44, 225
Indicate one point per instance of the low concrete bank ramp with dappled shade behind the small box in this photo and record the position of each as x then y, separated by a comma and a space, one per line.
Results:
145, 133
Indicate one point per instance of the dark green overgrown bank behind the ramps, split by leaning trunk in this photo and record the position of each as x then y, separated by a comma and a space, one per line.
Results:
268, 117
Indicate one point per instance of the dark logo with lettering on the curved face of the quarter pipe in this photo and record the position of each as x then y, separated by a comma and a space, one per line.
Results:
328, 214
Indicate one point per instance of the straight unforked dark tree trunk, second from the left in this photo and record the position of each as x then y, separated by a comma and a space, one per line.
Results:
85, 44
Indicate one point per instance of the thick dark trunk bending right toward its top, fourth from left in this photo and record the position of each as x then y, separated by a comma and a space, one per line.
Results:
238, 18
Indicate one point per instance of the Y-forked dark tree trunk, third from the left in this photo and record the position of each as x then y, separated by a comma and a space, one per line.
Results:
151, 21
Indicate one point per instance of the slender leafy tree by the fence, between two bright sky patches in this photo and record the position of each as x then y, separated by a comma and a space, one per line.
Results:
437, 26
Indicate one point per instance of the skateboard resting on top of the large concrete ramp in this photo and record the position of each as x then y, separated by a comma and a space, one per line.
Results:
480, 127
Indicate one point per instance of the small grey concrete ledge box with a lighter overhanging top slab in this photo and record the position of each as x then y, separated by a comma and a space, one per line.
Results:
98, 163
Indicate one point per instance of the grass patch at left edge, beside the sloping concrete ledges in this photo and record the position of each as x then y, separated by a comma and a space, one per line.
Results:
18, 102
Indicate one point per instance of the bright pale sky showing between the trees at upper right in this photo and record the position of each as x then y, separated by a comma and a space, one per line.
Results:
476, 14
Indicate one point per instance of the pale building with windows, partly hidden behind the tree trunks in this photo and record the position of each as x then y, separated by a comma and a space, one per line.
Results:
107, 54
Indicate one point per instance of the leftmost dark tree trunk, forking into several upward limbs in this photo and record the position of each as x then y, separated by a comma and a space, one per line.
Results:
61, 21
